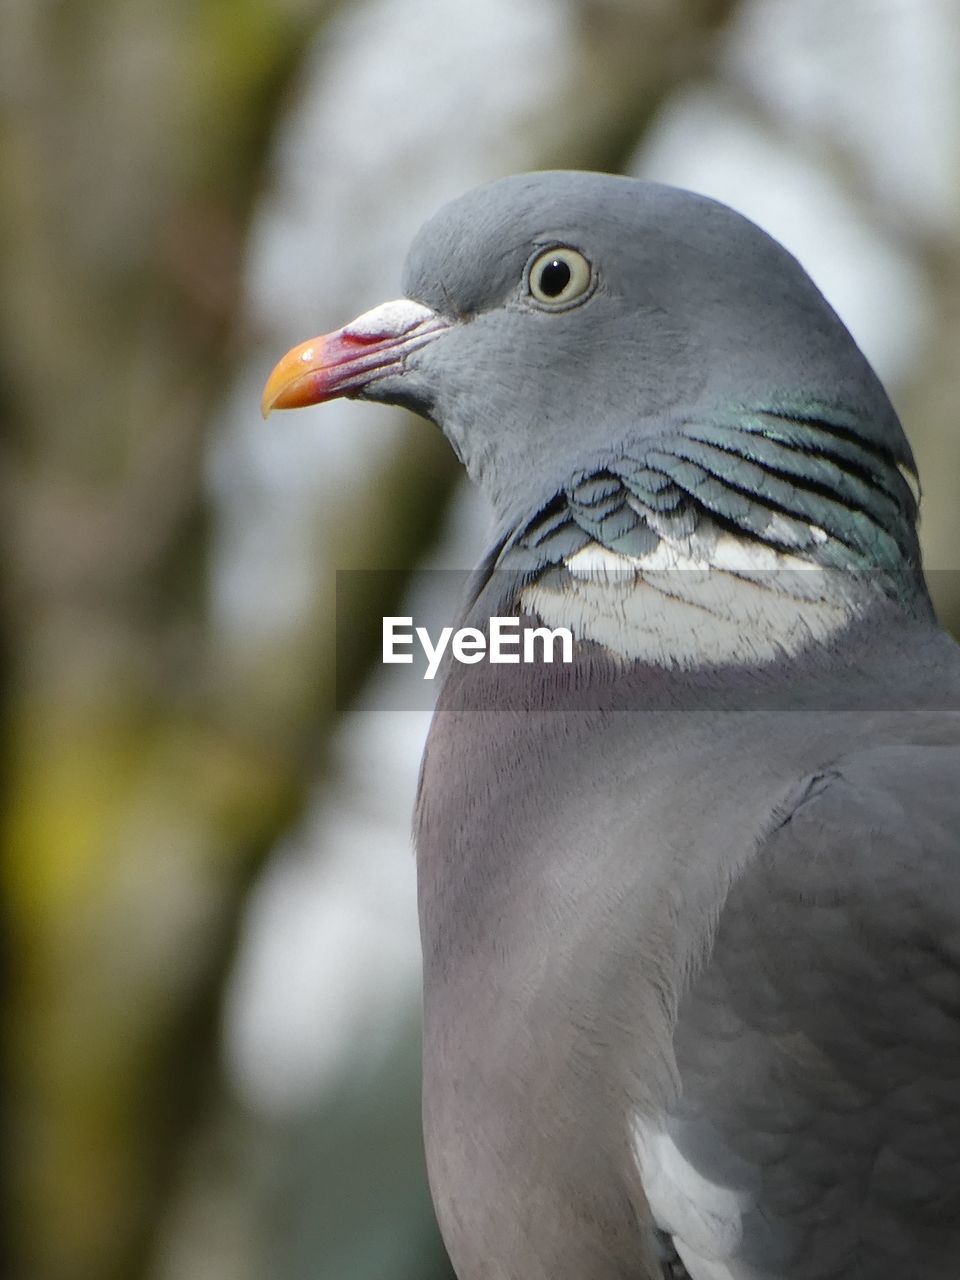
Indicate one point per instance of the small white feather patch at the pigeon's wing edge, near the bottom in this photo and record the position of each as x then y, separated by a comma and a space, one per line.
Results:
703, 1218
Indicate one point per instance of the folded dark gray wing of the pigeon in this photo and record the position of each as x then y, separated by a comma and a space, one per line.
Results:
820, 1049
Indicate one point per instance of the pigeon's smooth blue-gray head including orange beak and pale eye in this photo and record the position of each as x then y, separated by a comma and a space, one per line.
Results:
557, 322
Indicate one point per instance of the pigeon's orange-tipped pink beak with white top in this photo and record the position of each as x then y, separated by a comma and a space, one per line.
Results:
346, 362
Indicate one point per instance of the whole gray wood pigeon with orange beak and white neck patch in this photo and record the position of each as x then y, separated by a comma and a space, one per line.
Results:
691, 895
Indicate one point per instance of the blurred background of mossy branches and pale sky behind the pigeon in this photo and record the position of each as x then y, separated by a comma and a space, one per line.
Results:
212, 962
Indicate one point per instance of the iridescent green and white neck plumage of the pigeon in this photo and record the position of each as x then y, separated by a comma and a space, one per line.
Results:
744, 541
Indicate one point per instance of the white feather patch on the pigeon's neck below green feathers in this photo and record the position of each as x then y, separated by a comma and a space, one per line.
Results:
703, 600
